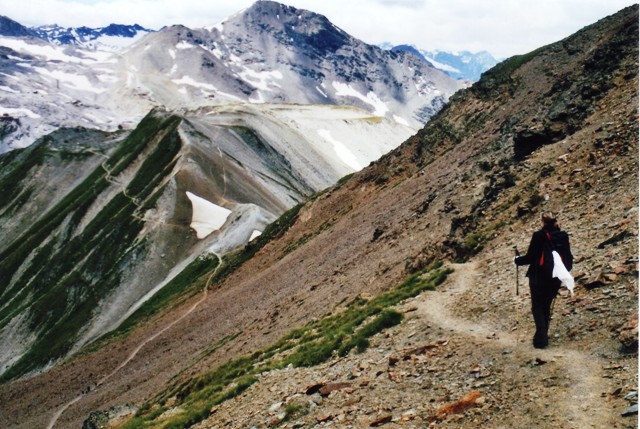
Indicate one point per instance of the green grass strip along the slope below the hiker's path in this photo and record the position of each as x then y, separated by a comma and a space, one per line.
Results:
334, 335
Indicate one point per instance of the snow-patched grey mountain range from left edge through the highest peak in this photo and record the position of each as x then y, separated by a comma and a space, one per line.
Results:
269, 53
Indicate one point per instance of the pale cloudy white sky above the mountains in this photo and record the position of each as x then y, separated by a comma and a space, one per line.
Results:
501, 27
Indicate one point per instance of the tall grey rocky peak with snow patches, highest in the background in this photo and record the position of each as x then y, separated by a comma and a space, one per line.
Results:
276, 53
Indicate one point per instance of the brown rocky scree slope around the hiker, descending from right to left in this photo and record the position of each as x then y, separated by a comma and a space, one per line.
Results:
553, 130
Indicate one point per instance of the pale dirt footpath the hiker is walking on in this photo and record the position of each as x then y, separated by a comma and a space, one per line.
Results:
580, 406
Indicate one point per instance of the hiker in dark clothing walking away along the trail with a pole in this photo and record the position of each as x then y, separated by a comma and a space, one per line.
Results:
543, 286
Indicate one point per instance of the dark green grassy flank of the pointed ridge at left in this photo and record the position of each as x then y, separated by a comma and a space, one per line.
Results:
70, 273
